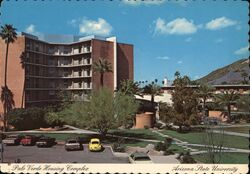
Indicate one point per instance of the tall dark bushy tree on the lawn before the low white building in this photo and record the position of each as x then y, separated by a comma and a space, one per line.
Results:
184, 103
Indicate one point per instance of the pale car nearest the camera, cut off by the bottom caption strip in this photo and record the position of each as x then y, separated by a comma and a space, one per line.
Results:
139, 158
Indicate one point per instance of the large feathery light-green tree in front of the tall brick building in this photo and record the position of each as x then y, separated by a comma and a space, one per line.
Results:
103, 111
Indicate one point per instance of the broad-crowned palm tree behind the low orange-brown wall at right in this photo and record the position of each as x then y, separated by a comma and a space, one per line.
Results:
227, 98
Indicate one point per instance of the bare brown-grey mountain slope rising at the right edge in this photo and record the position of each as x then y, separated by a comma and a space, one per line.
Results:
230, 74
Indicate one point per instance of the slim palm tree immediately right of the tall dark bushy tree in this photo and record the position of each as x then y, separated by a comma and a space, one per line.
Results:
205, 92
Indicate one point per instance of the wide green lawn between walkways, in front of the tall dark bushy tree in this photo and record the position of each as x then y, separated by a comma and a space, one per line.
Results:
198, 138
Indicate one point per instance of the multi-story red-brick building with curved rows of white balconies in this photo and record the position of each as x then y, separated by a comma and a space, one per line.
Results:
39, 69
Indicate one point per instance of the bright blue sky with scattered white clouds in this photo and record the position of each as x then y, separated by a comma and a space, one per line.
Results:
193, 38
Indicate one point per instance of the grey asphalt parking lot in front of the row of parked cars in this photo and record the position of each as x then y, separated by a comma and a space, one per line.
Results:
57, 154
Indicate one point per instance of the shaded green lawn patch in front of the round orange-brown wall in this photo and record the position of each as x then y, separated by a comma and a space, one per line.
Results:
137, 133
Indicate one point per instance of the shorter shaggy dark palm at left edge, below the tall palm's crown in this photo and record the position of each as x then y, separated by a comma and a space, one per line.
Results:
8, 102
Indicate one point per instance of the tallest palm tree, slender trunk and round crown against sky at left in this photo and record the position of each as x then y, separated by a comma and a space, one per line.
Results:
9, 35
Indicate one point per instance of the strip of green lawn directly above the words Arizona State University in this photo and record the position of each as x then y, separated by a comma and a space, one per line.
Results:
226, 158
